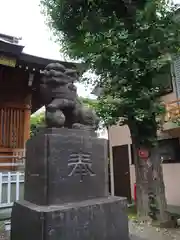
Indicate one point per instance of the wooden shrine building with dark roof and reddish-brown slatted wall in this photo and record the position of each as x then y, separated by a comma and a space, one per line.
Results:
20, 75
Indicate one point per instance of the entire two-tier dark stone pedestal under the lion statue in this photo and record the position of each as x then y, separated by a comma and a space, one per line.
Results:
66, 191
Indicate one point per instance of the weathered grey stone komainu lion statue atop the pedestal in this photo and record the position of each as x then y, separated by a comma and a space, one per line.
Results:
59, 95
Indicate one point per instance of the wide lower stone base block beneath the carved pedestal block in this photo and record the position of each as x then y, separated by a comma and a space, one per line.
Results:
97, 219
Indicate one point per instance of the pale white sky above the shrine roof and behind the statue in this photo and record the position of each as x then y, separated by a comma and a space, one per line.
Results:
23, 18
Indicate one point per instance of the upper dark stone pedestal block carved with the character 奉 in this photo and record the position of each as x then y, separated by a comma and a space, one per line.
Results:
65, 165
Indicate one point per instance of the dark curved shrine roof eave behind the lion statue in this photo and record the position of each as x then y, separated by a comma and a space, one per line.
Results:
12, 55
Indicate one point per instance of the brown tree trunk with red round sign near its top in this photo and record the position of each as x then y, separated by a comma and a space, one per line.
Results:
151, 200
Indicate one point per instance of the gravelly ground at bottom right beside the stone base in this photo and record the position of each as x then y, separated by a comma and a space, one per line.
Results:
140, 231
